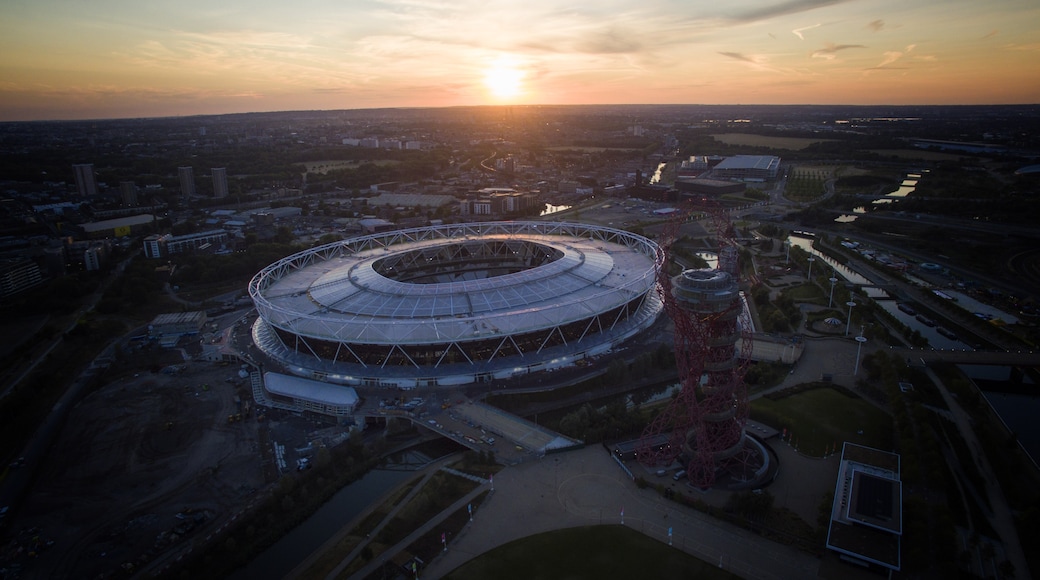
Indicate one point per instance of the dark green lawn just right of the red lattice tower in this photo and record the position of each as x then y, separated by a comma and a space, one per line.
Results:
818, 420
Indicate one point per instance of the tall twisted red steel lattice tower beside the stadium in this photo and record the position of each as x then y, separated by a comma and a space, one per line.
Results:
706, 424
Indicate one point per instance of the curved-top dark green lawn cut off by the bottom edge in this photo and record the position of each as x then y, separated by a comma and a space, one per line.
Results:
591, 552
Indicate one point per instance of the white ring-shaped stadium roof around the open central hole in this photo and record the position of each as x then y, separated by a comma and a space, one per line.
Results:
335, 292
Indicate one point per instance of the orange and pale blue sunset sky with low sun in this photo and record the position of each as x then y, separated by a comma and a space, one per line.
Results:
64, 60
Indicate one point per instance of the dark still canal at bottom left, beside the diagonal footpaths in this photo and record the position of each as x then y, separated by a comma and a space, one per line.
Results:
339, 512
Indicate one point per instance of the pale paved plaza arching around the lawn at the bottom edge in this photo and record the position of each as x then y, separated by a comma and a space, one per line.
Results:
587, 488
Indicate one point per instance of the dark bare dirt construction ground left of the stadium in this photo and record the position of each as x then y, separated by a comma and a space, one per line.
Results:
148, 462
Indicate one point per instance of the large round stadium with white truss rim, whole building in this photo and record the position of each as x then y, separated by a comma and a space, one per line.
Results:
457, 304
